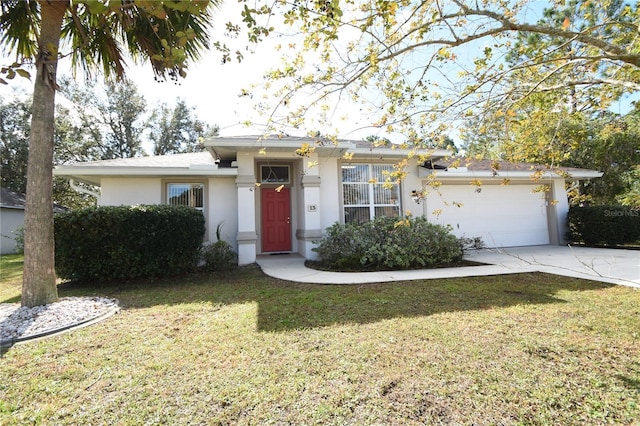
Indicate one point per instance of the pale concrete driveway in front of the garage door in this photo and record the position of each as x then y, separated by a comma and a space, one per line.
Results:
599, 264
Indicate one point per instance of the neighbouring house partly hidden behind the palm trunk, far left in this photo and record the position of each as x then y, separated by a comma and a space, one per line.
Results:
12, 206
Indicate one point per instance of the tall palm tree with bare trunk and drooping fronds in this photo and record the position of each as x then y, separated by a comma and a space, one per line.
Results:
98, 33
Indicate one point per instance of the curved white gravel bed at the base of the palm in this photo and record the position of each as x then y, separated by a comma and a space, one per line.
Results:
18, 324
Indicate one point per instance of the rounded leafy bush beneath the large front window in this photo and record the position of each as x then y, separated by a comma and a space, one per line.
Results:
388, 243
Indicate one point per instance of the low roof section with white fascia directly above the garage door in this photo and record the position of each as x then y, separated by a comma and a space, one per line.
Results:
453, 168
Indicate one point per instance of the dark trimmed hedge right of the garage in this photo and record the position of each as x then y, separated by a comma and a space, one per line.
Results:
604, 225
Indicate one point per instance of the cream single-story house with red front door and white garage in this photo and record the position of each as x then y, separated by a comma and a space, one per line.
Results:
278, 194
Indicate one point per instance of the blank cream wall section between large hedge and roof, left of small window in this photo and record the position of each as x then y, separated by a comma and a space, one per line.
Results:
130, 191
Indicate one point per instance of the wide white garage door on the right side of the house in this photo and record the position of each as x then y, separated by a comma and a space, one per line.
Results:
503, 216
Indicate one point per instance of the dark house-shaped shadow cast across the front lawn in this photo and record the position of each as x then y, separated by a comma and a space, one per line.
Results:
285, 306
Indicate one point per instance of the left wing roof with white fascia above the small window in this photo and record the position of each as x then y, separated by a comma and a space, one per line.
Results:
189, 164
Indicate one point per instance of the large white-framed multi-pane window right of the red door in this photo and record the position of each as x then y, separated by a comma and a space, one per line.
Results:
365, 194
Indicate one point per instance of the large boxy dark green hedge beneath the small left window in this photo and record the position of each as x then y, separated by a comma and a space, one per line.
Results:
111, 243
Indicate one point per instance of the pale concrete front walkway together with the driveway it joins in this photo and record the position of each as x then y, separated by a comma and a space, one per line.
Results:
605, 265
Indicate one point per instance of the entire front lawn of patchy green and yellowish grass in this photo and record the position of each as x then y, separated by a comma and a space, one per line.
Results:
248, 349
